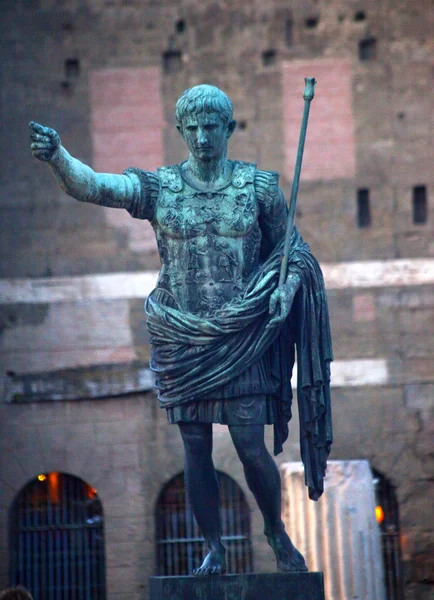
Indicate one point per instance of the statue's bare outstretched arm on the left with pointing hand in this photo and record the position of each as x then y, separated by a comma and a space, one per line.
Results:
77, 179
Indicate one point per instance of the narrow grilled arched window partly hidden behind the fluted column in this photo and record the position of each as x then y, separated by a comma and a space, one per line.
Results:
388, 519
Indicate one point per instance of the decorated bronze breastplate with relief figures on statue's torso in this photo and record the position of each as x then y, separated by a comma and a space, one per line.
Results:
208, 240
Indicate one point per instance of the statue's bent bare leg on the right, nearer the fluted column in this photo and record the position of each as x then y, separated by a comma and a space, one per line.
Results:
263, 479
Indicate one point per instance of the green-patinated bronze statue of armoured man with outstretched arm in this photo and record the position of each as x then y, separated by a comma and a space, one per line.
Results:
223, 331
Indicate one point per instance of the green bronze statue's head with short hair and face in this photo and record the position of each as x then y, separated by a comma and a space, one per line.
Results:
204, 119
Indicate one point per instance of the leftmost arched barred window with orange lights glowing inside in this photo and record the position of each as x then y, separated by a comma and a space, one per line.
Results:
57, 539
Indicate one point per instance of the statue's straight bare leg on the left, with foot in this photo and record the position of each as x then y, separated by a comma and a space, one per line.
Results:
203, 493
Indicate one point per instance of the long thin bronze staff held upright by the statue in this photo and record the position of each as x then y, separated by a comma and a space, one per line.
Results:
307, 97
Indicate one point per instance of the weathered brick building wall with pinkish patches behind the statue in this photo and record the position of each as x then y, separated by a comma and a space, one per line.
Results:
106, 75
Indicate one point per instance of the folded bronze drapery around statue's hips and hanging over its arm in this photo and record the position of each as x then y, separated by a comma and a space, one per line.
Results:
192, 355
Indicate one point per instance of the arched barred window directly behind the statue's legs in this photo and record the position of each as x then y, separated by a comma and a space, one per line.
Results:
180, 546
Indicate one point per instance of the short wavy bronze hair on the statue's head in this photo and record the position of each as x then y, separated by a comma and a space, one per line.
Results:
204, 98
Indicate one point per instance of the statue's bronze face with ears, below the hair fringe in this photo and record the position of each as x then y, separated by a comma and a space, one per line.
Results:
206, 135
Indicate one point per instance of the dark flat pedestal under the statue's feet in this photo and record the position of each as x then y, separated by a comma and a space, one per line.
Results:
255, 586
